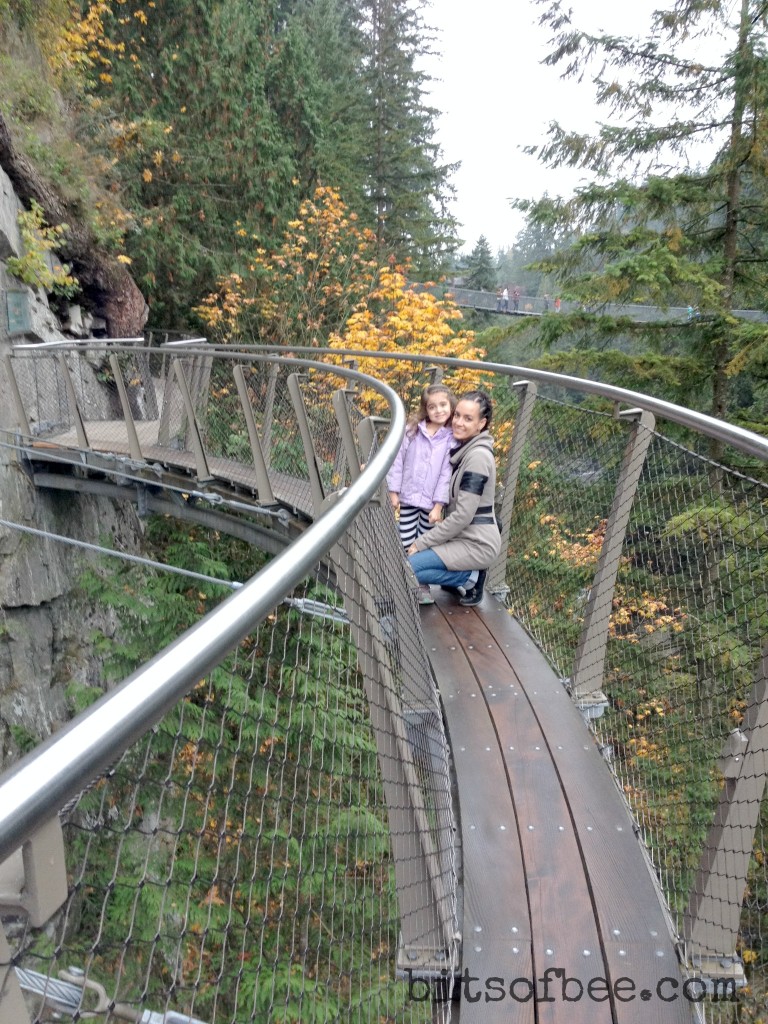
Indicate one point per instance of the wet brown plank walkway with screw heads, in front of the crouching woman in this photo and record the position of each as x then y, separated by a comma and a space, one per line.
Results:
556, 884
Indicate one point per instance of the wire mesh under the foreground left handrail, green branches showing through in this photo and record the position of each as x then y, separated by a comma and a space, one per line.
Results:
263, 854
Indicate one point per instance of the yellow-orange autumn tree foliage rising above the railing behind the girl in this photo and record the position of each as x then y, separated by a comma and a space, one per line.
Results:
322, 286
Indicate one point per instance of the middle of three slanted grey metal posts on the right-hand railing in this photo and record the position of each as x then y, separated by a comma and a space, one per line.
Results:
590, 657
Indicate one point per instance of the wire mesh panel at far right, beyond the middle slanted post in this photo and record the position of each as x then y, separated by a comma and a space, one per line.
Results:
682, 676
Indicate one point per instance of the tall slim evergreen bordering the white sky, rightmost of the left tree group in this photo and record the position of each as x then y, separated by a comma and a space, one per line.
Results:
408, 187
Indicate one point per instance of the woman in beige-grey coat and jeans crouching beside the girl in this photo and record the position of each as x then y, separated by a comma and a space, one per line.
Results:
453, 552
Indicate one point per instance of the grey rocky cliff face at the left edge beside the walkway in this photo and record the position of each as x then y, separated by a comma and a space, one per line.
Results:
46, 626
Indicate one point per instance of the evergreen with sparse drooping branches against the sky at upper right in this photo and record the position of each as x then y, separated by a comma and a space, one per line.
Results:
693, 237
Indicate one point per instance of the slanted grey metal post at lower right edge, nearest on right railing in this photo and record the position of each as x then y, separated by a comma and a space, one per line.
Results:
712, 918
